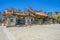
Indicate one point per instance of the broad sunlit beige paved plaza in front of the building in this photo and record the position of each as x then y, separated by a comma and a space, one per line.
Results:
36, 32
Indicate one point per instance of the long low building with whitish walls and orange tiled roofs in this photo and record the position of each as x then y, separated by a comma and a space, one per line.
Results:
14, 17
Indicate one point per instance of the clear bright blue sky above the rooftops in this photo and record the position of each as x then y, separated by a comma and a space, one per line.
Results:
44, 5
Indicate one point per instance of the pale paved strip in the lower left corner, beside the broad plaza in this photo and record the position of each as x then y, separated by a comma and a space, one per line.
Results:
5, 34
